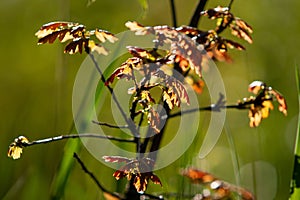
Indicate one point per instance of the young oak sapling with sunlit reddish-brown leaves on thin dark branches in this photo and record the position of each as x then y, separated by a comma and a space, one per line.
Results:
163, 78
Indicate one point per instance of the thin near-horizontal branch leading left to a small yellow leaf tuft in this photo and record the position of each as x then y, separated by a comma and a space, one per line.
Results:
75, 136
